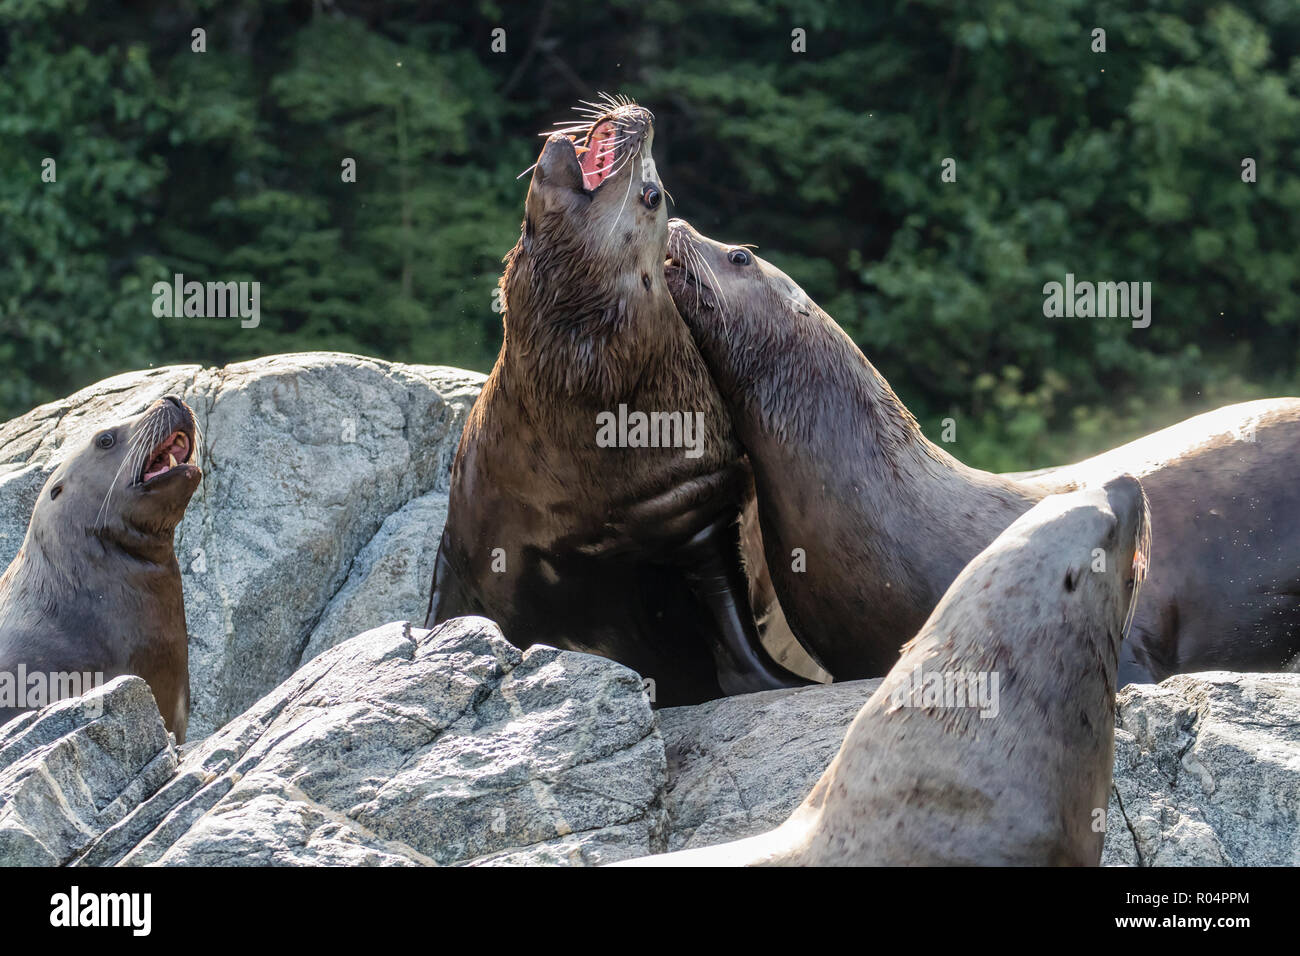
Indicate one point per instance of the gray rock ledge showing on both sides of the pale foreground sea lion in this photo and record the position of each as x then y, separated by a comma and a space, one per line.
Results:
1207, 767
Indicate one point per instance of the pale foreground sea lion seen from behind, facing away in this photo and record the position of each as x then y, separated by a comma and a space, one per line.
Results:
991, 742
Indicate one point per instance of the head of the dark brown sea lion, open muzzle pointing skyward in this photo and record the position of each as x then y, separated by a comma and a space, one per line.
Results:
596, 204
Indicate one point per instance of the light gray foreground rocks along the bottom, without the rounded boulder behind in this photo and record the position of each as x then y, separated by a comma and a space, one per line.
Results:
413, 747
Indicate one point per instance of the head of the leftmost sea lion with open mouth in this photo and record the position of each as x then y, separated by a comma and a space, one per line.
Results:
128, 486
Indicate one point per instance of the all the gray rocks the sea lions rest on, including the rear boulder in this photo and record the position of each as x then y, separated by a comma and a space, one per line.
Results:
319, 520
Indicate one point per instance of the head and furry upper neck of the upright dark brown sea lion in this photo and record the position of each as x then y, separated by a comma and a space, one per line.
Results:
584, 295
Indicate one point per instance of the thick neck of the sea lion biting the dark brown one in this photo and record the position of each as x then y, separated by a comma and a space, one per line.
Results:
826, 434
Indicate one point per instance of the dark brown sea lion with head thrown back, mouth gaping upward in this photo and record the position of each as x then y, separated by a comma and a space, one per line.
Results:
573, 522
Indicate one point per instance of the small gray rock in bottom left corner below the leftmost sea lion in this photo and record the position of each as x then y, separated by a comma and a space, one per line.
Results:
76, 768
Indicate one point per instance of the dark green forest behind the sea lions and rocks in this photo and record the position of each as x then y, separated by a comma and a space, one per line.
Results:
1116, 166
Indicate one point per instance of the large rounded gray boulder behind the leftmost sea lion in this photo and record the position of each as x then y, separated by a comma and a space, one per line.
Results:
306, 458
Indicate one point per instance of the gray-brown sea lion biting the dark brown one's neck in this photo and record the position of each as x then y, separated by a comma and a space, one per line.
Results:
885, 520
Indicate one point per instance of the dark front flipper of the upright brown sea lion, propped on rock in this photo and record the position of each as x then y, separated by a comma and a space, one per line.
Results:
712, 565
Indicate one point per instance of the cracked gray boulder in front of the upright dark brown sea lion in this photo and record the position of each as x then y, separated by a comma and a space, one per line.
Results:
413, 747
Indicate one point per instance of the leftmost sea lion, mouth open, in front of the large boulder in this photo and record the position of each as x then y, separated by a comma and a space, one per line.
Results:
96, 587
